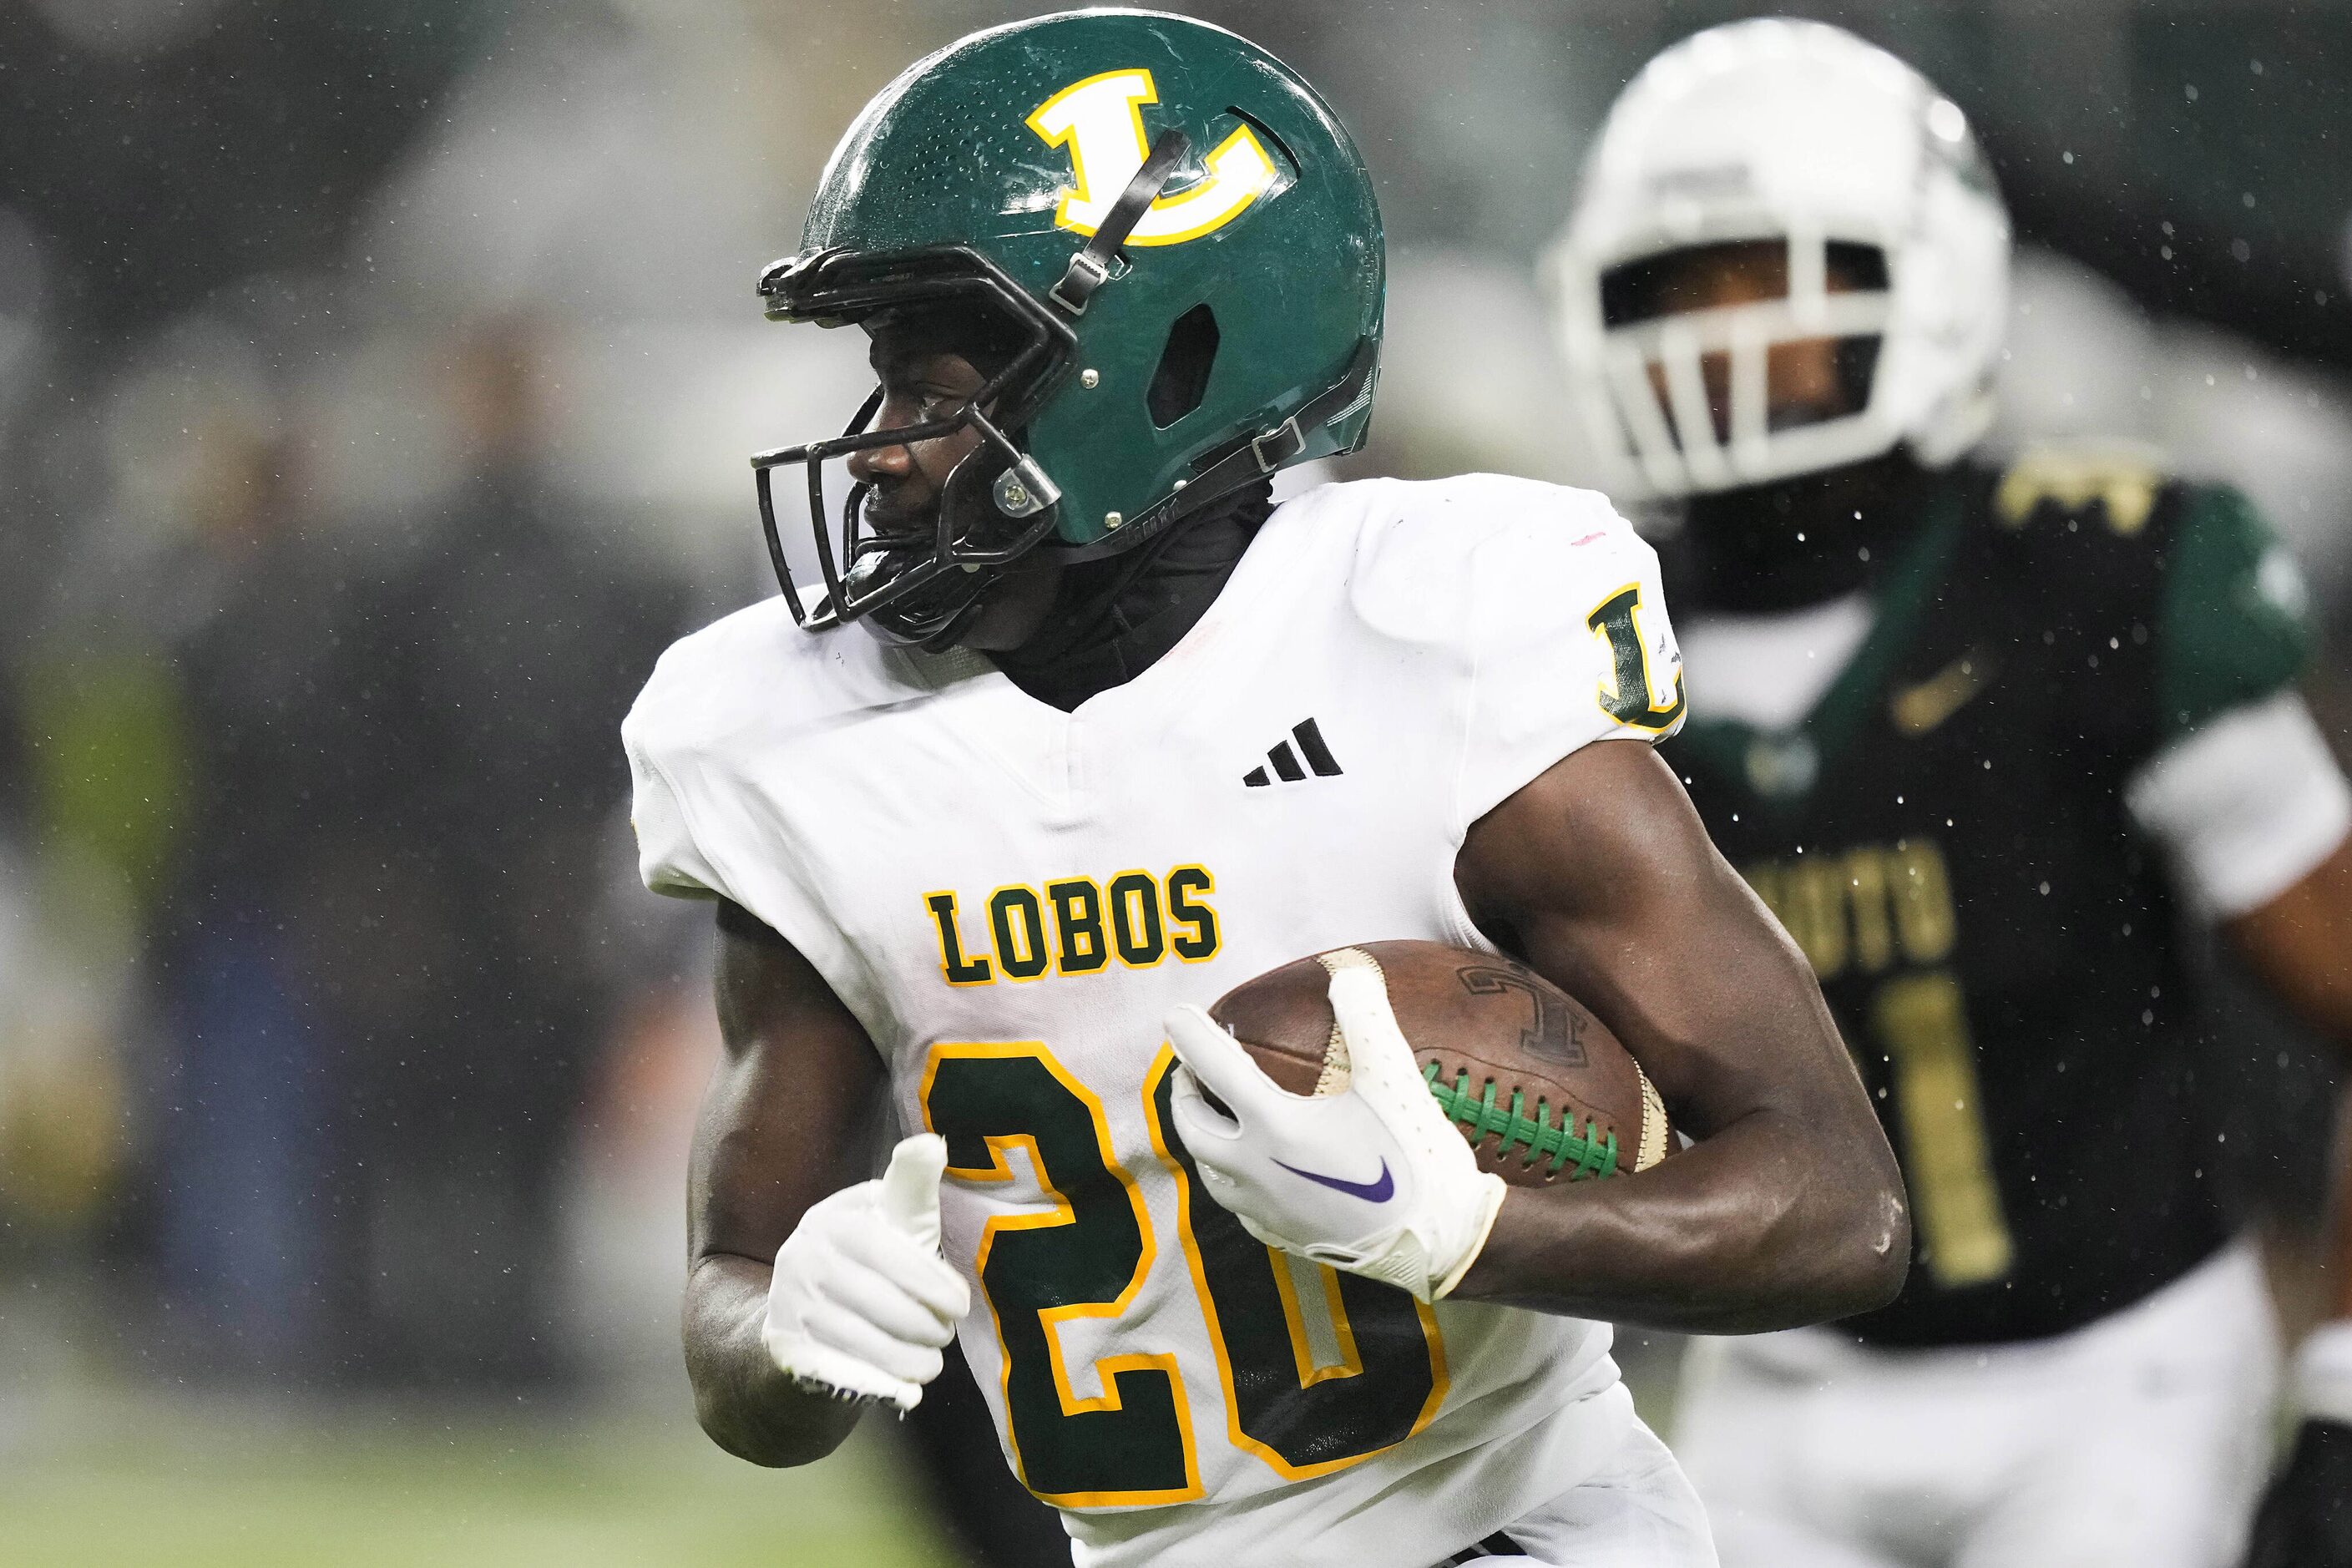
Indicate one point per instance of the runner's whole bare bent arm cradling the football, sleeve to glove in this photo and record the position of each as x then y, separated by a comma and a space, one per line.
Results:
1791, 1207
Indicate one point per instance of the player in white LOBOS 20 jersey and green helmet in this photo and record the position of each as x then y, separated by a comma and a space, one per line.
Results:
1114, 735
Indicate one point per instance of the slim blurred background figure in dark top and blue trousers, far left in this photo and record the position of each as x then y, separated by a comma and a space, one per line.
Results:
250, 1097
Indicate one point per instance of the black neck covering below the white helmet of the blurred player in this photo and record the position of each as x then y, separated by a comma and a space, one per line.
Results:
1796, 542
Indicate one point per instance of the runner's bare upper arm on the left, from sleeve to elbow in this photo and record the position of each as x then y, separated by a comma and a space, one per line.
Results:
789, 1101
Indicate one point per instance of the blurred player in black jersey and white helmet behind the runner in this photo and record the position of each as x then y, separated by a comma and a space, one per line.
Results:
1984, 739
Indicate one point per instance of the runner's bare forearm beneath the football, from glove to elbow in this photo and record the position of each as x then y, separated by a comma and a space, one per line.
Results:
1753, 1231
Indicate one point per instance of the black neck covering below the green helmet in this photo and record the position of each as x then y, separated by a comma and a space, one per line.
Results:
1116, 617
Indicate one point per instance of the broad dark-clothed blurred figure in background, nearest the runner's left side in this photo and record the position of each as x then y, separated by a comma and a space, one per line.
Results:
490, 676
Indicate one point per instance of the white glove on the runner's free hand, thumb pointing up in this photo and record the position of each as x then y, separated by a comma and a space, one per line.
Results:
862, 1301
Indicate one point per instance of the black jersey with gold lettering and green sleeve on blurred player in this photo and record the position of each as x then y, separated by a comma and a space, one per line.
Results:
1949, 843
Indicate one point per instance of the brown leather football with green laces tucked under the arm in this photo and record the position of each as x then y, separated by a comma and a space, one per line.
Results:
1542, 1090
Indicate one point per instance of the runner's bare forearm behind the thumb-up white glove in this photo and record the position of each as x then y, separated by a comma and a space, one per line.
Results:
744, 1402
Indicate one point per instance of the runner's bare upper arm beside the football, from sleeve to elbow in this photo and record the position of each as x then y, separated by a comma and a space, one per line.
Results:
1605, 880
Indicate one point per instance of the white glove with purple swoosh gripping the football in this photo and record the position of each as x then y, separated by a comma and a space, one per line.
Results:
1368, 1177
